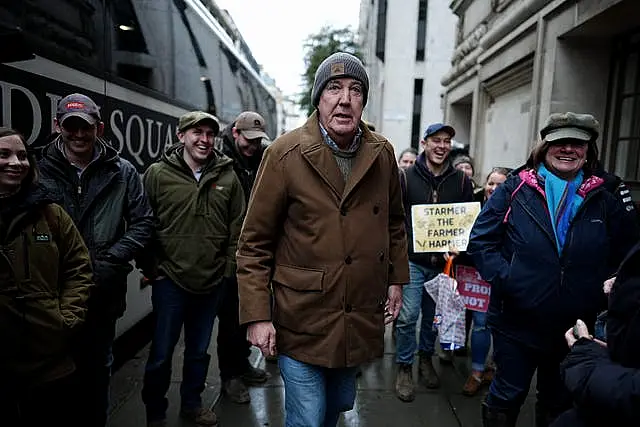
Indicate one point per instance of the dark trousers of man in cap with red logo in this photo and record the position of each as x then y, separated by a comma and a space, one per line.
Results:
93, 356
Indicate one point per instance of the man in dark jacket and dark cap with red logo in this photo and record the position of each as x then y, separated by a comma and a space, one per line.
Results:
104, 196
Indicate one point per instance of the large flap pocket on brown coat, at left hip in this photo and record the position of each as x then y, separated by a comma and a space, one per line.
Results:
299, 300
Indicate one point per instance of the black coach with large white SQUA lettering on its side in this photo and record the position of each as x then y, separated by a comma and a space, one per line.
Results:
145, 62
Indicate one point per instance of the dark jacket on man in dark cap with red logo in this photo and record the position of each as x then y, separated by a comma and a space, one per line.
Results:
108, 204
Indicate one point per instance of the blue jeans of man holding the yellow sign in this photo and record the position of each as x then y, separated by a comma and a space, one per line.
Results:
414, 299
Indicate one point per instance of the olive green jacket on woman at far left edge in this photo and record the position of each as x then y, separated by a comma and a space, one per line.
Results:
45, 279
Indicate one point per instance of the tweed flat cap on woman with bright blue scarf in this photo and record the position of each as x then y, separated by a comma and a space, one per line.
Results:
570, 126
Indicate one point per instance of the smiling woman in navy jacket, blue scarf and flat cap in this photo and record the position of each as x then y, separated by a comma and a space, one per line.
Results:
546, 241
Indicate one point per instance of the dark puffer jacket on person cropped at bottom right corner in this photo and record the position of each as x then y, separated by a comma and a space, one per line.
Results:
605, 382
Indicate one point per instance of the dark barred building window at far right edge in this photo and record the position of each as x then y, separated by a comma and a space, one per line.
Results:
625, 126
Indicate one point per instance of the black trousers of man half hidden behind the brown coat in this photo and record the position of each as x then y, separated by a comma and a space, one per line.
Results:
233, 347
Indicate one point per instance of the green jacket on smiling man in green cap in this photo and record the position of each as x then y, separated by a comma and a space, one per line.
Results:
198, 223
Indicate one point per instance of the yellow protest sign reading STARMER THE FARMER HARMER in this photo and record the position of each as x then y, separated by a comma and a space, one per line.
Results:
442, 227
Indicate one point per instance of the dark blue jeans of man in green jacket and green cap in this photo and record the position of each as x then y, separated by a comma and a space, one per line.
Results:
174, 307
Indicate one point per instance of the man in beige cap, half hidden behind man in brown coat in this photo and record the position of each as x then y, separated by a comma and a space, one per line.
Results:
242, 141
